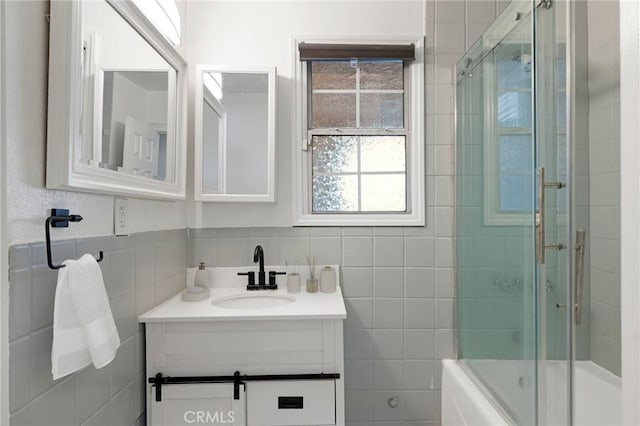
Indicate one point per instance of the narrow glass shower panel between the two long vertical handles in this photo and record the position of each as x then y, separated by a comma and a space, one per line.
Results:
554, 215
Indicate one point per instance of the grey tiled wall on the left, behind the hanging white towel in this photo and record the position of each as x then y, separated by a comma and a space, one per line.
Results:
139, 271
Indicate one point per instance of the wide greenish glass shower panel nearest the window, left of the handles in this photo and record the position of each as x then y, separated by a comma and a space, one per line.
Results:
496, 280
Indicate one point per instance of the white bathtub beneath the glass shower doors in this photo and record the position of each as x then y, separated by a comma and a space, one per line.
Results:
465, 401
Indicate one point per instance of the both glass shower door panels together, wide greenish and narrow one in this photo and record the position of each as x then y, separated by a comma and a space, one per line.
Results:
514, 222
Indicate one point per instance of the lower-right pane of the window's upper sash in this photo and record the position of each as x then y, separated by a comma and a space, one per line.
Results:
381, 110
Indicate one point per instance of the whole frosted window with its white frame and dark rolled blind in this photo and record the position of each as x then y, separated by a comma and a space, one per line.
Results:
361, 158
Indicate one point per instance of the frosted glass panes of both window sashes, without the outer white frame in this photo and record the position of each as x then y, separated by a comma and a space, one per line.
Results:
358, 136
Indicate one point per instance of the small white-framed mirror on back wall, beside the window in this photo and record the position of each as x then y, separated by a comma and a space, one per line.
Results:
235, 135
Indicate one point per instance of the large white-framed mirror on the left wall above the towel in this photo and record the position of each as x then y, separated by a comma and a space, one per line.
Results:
116, 103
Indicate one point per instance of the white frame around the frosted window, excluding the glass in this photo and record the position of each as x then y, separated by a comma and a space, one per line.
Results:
413, 130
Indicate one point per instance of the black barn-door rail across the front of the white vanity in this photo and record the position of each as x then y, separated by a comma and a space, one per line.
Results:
159, 380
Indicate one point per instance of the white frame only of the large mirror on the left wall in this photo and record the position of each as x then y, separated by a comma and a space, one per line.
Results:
65, 112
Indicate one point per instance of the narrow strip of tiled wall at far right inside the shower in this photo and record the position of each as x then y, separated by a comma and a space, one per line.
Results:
604, 178
